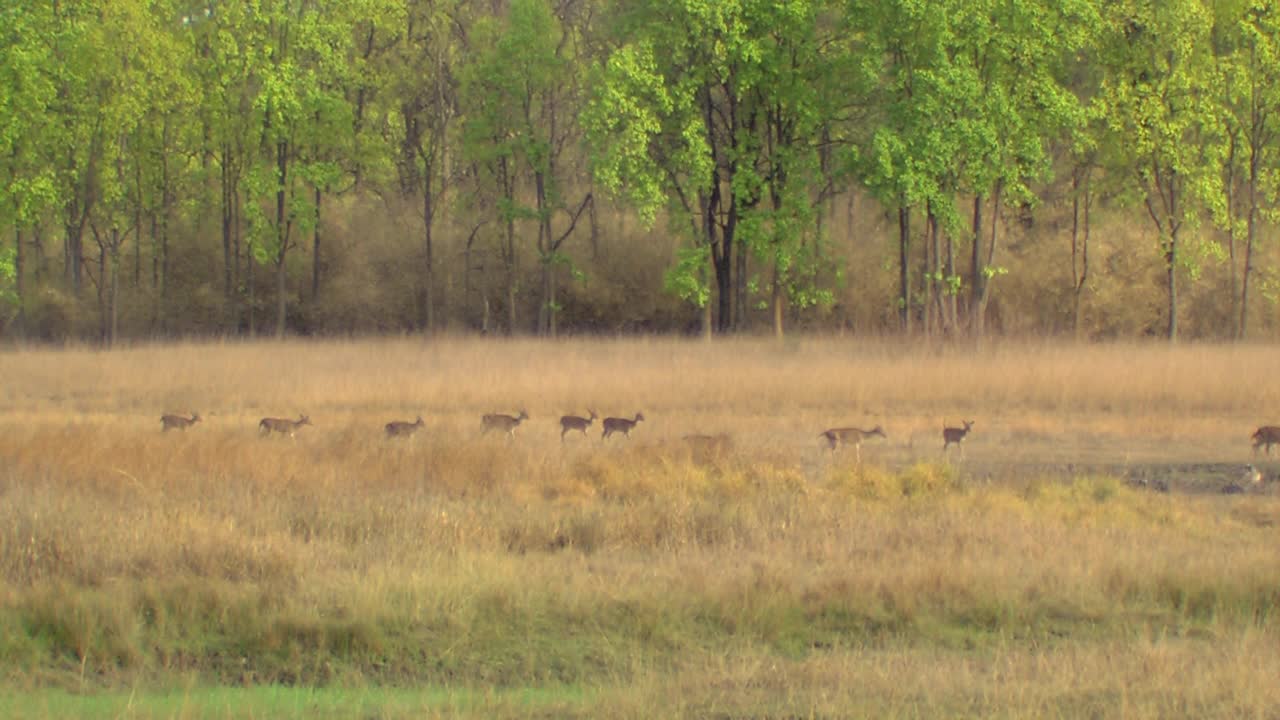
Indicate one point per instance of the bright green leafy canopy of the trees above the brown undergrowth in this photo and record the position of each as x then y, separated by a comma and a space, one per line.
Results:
734, 122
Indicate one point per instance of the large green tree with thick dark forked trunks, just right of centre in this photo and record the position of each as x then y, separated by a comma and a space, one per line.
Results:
702, 108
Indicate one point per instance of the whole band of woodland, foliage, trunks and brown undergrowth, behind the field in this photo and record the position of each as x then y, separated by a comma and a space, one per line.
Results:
944, 167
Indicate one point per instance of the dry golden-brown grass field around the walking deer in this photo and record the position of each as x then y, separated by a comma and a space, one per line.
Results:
216, 573
